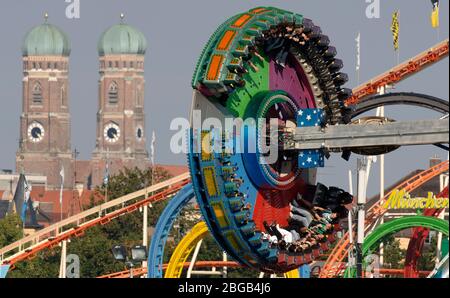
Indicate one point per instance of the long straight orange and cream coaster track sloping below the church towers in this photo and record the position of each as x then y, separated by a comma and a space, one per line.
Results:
76, 225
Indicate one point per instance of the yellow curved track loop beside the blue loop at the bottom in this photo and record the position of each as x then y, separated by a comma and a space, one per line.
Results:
186, 246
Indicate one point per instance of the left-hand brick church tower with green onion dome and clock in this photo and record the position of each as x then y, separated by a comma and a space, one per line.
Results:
45, 120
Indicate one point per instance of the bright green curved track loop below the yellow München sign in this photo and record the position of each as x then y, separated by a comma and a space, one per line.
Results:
372, 241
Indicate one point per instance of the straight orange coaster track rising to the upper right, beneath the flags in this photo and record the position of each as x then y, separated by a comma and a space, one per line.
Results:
400, 72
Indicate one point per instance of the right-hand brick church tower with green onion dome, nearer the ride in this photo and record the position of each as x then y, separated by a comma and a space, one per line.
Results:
120, 117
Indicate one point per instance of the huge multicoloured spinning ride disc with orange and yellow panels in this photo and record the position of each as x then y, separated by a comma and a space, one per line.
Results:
272, 66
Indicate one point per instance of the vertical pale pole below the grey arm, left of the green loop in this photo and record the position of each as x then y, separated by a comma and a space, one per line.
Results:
362, 183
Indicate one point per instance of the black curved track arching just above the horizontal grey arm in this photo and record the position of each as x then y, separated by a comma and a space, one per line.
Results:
403, 98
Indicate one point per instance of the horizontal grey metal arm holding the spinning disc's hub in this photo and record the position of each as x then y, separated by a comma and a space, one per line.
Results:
334, 138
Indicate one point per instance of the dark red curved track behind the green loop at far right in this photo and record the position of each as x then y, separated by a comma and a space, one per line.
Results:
417, 241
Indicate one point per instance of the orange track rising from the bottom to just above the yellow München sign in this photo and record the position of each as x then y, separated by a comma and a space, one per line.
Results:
333, 265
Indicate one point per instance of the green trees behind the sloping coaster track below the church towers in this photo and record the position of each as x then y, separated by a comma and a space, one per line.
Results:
94, 247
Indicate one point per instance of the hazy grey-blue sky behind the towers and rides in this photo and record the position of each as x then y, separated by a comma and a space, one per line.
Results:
177, 31
